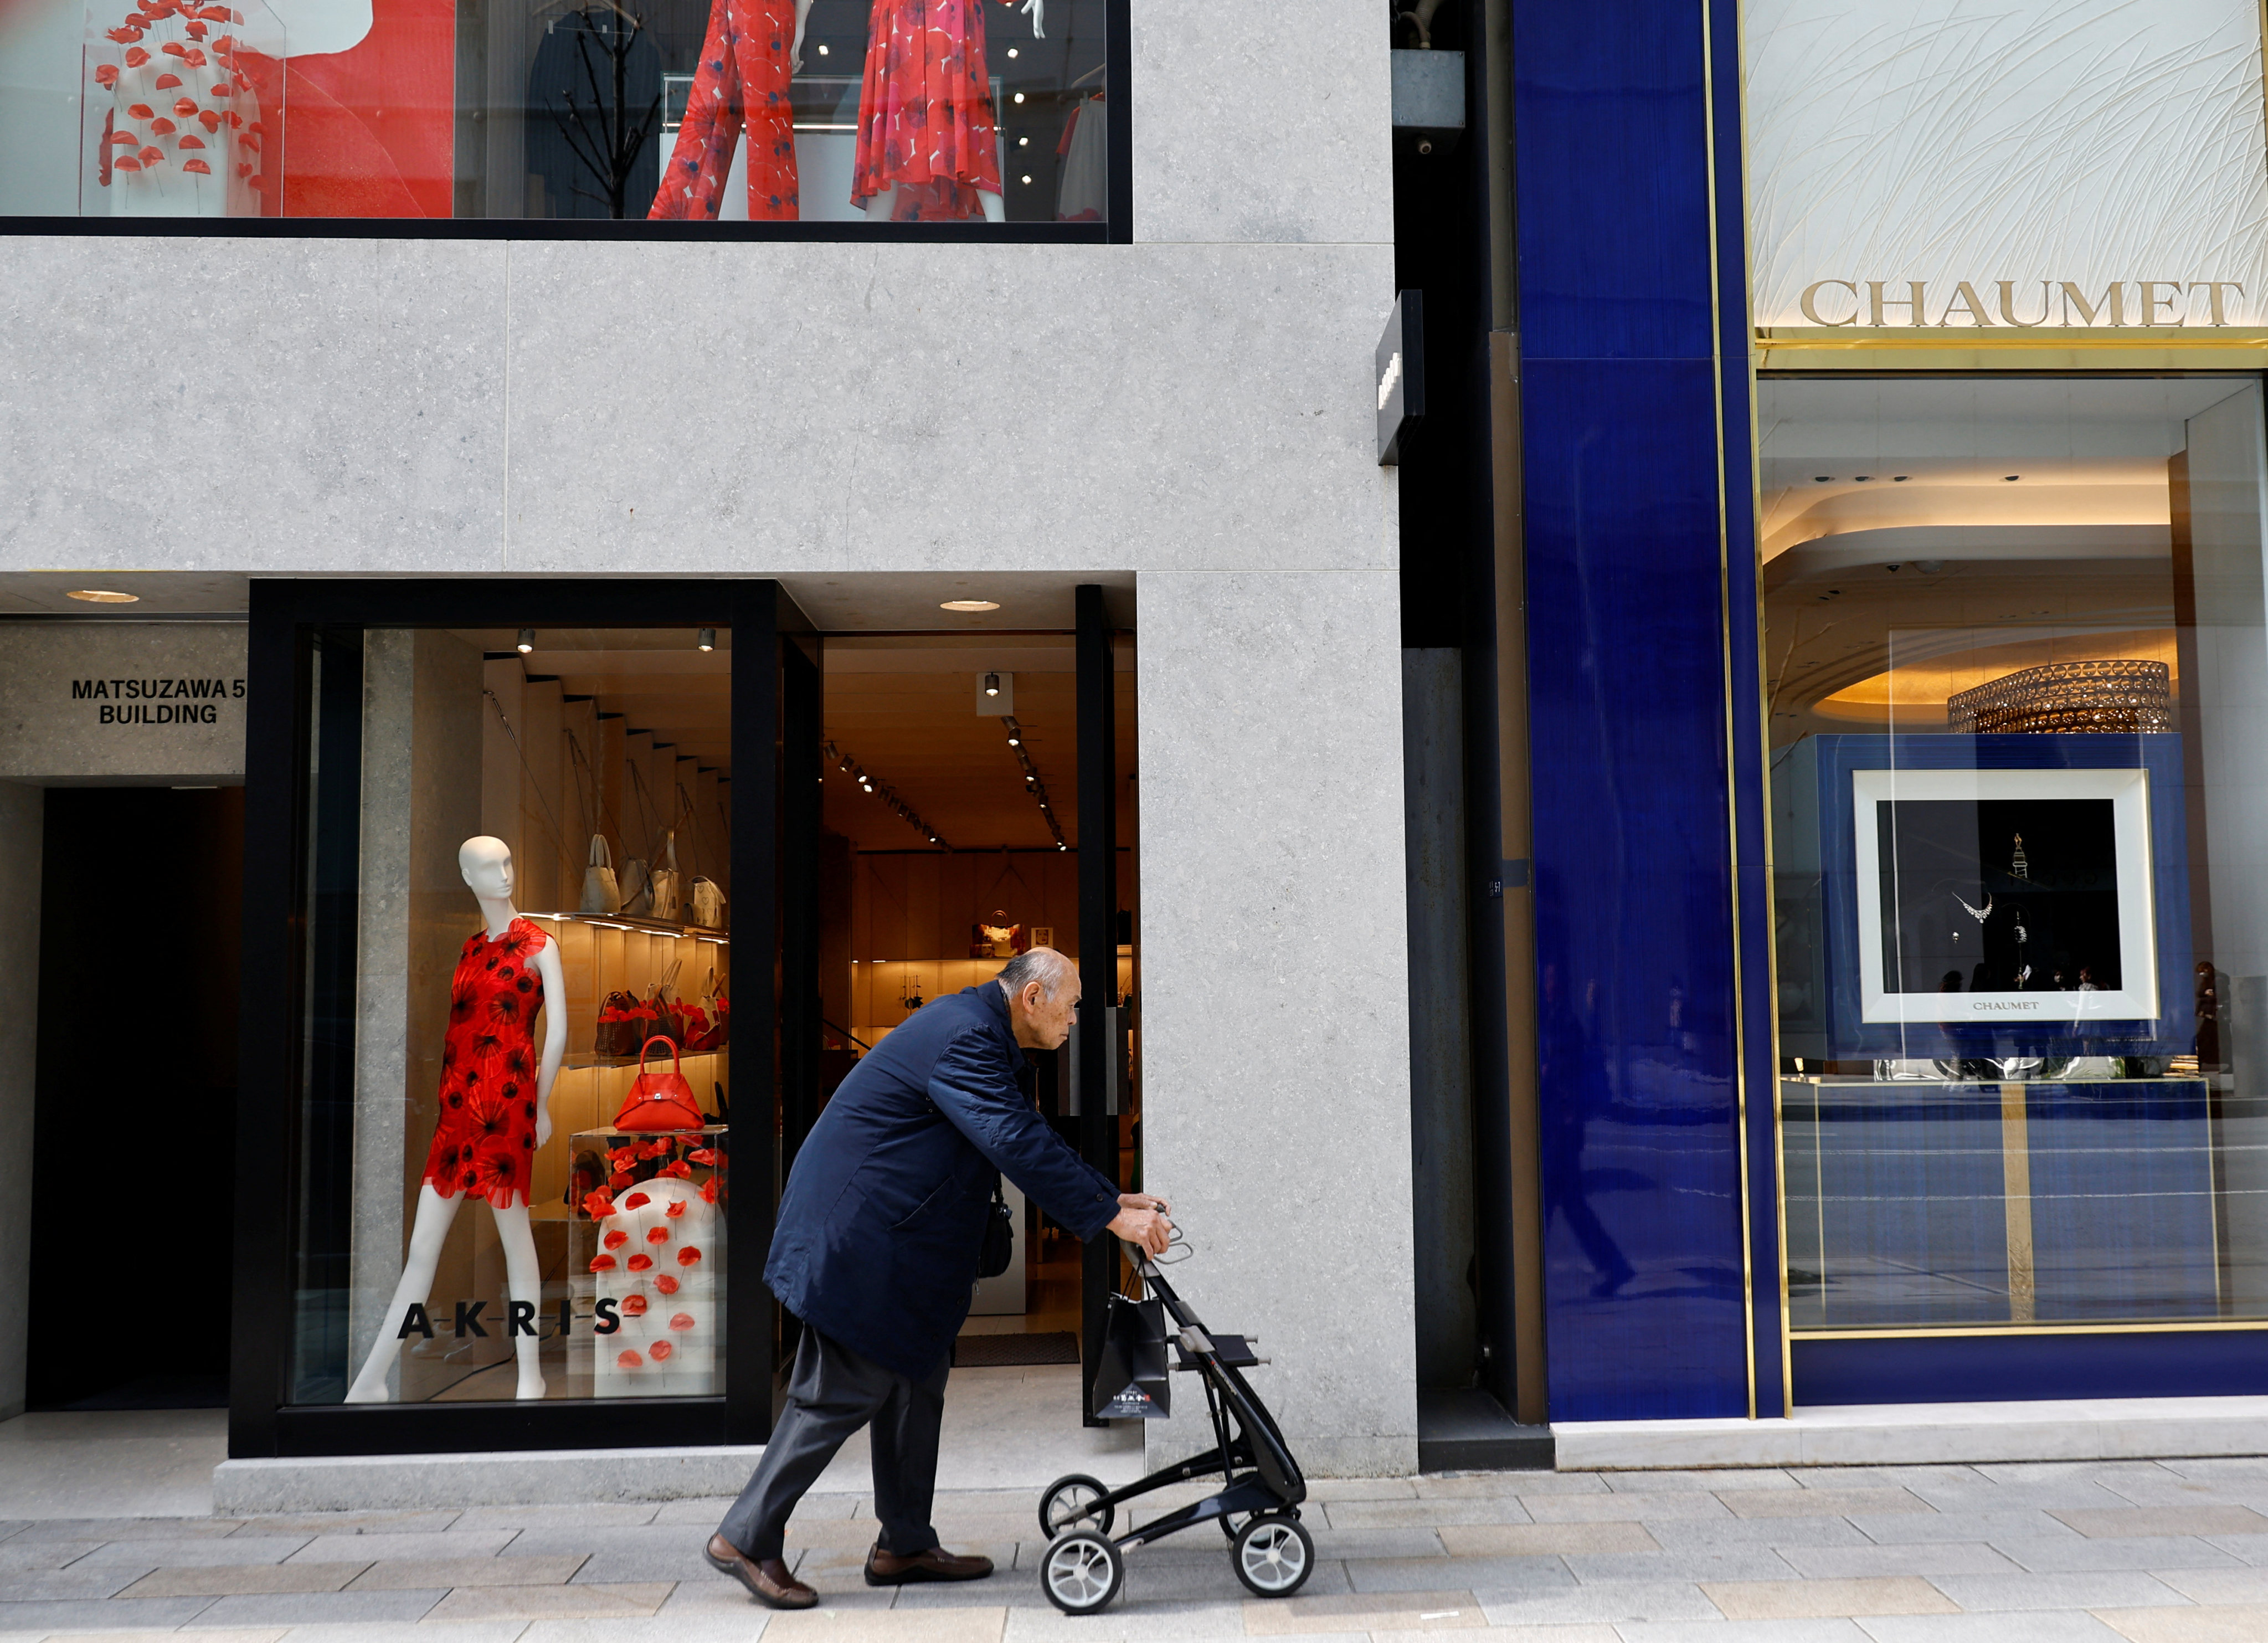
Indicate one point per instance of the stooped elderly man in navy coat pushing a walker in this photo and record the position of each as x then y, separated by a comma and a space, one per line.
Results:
877, 1249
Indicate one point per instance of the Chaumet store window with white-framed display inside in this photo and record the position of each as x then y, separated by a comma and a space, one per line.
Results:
2017, 677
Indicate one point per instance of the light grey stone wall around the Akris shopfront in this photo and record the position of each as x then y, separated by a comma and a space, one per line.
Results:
1194, 410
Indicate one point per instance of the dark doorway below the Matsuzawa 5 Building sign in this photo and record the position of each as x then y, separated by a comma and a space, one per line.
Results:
135, 1109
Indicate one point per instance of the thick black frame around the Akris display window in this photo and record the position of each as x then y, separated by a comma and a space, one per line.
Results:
772, 734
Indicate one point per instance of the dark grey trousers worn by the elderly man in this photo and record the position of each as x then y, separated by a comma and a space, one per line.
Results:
831, 1395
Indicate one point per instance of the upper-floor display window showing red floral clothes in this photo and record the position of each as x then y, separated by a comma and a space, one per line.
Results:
666, 110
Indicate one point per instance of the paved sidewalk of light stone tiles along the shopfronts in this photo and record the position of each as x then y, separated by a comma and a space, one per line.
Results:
2051, 1553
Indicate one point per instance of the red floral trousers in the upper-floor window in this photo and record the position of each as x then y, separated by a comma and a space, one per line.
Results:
741, 83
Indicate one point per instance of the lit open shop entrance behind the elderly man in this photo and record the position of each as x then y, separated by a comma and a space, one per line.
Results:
970, 791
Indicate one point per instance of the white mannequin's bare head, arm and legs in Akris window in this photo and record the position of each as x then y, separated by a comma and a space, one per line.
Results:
489, 873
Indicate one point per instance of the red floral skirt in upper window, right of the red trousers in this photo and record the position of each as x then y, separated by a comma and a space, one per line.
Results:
924, 115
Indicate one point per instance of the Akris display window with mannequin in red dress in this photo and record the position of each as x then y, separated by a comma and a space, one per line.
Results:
518, 1029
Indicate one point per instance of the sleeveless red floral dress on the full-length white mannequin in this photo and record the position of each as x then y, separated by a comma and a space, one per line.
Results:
486, 1138
